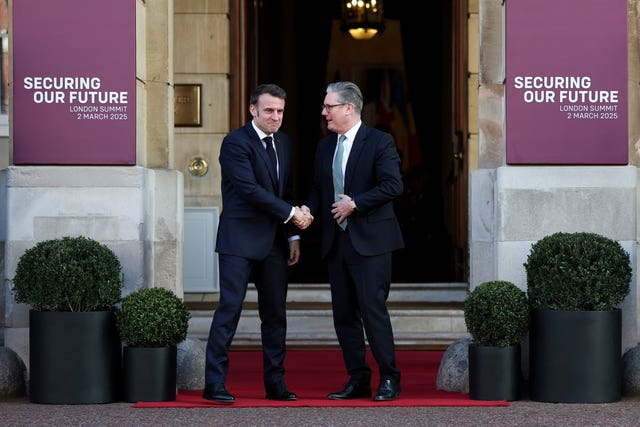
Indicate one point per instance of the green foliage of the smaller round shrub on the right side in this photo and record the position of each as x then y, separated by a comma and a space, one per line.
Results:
497, 314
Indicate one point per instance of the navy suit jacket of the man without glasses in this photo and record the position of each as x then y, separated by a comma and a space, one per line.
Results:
255, 203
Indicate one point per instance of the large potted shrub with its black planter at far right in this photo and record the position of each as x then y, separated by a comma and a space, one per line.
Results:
576, 282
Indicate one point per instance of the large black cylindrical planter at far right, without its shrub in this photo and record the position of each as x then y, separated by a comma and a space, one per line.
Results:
575, 356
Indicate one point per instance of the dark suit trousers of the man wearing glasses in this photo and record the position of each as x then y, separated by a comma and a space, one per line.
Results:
359, 290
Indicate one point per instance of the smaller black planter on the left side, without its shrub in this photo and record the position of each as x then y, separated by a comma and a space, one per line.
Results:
149, 374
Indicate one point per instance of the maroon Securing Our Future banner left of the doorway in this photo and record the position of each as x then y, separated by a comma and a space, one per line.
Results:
74, 82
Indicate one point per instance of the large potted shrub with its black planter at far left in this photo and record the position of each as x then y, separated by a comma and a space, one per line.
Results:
72, 285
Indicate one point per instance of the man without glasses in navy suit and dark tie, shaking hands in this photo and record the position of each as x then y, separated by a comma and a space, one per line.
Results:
256, 239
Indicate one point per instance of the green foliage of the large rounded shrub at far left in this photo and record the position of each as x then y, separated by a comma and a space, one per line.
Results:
68, 274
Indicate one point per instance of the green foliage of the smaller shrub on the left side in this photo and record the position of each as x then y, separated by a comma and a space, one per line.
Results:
152, 317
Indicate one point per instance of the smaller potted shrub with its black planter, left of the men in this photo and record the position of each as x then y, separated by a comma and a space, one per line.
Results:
151, 323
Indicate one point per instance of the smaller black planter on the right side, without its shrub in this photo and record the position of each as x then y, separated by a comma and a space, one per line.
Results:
495, 373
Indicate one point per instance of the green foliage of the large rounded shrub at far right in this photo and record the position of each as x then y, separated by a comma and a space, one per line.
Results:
577, 271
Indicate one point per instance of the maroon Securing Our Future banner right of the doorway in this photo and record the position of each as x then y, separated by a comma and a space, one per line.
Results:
566, 88
